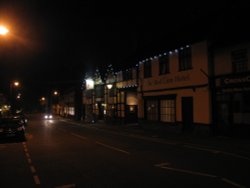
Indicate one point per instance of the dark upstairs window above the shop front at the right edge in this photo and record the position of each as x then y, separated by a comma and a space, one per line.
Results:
239, 60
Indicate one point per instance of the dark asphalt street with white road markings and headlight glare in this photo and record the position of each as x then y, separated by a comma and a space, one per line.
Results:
62, 153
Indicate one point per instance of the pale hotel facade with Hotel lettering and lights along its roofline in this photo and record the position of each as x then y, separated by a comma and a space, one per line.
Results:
174, 89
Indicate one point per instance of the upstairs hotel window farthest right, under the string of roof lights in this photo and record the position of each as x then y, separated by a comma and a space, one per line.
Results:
185, 59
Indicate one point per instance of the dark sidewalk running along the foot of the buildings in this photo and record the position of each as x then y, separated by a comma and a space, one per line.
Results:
230, 144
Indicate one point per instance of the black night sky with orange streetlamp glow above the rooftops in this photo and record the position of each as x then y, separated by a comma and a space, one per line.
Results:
53, 43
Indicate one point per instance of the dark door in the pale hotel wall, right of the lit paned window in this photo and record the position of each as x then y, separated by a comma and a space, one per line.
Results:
187, 114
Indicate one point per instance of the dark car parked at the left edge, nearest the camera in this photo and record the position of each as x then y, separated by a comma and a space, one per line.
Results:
12, 126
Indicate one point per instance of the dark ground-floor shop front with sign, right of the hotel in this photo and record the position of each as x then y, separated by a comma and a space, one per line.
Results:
233, 103
